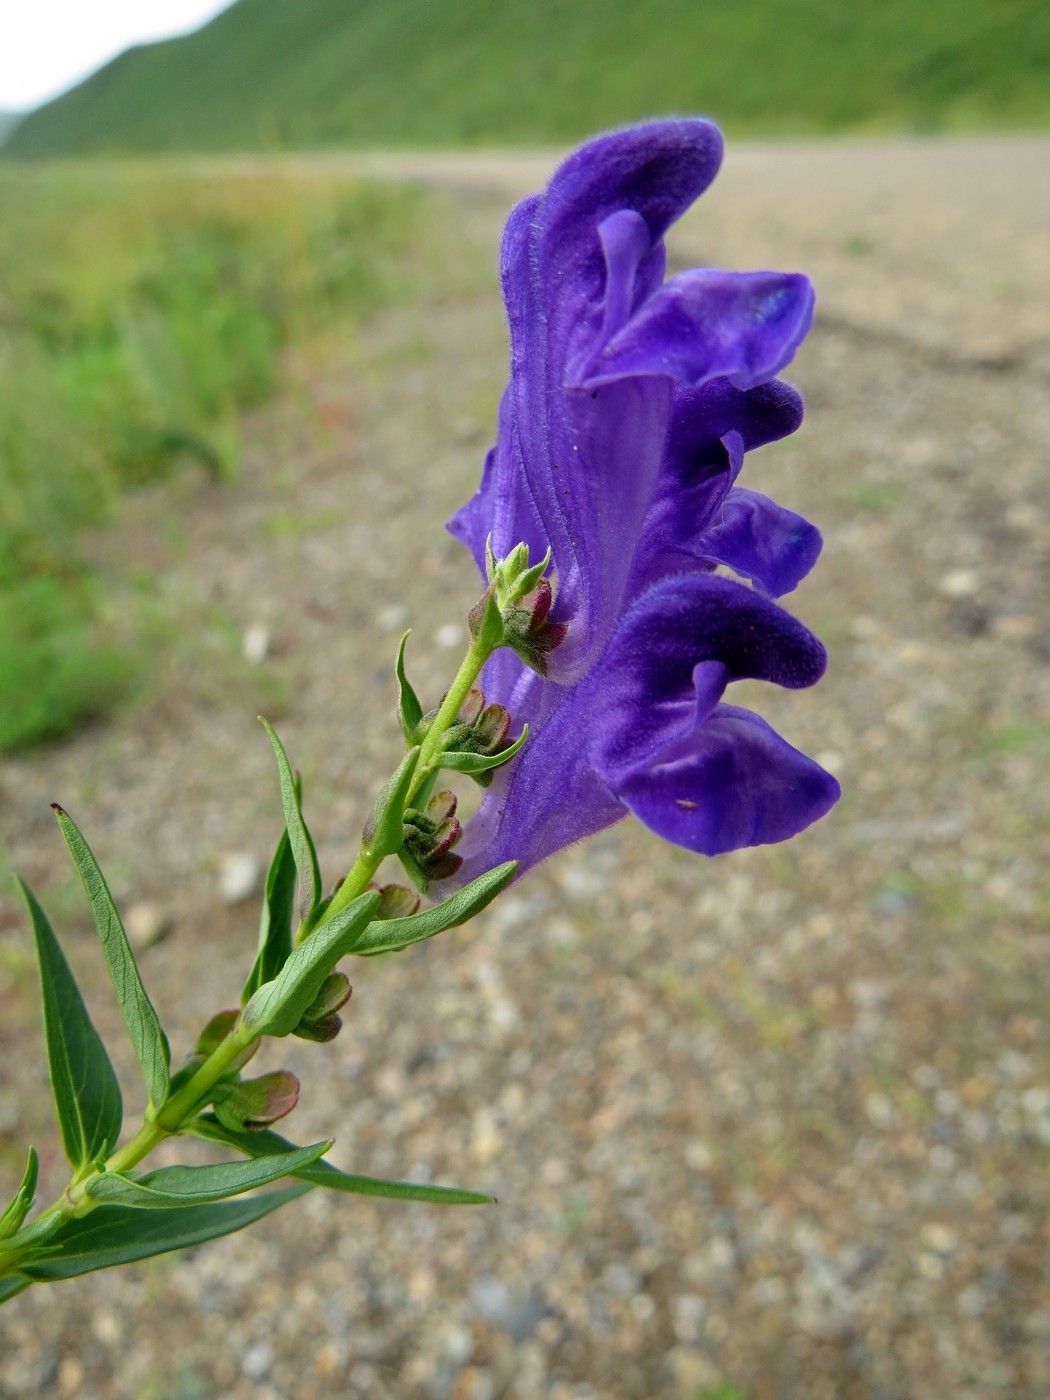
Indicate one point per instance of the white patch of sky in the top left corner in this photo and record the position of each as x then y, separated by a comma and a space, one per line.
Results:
48, 45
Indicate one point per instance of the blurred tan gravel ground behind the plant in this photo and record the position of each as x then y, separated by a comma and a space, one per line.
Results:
778, 1122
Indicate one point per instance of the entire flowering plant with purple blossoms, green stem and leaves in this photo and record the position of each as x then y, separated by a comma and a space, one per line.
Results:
593, 687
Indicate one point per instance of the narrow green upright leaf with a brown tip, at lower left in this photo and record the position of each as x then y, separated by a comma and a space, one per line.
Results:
142, 1021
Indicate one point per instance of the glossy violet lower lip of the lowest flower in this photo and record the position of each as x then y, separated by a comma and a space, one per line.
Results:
731, 783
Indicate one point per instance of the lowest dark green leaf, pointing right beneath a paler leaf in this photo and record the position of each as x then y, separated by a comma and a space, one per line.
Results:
121, 1235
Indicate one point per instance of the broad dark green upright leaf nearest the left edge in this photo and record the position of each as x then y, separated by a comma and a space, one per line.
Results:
87, 1097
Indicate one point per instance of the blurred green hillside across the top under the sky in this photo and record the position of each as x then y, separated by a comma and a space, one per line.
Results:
310, 73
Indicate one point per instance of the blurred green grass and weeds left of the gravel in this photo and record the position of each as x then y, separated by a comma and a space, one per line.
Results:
141, 311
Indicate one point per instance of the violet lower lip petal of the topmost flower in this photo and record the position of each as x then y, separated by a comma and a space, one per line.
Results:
705, 324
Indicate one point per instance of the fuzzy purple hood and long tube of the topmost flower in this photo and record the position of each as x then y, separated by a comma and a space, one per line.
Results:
587, 467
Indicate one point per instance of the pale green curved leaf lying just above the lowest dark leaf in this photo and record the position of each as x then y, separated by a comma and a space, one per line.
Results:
184, 1186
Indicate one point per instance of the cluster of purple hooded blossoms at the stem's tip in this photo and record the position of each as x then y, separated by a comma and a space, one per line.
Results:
631, 404
